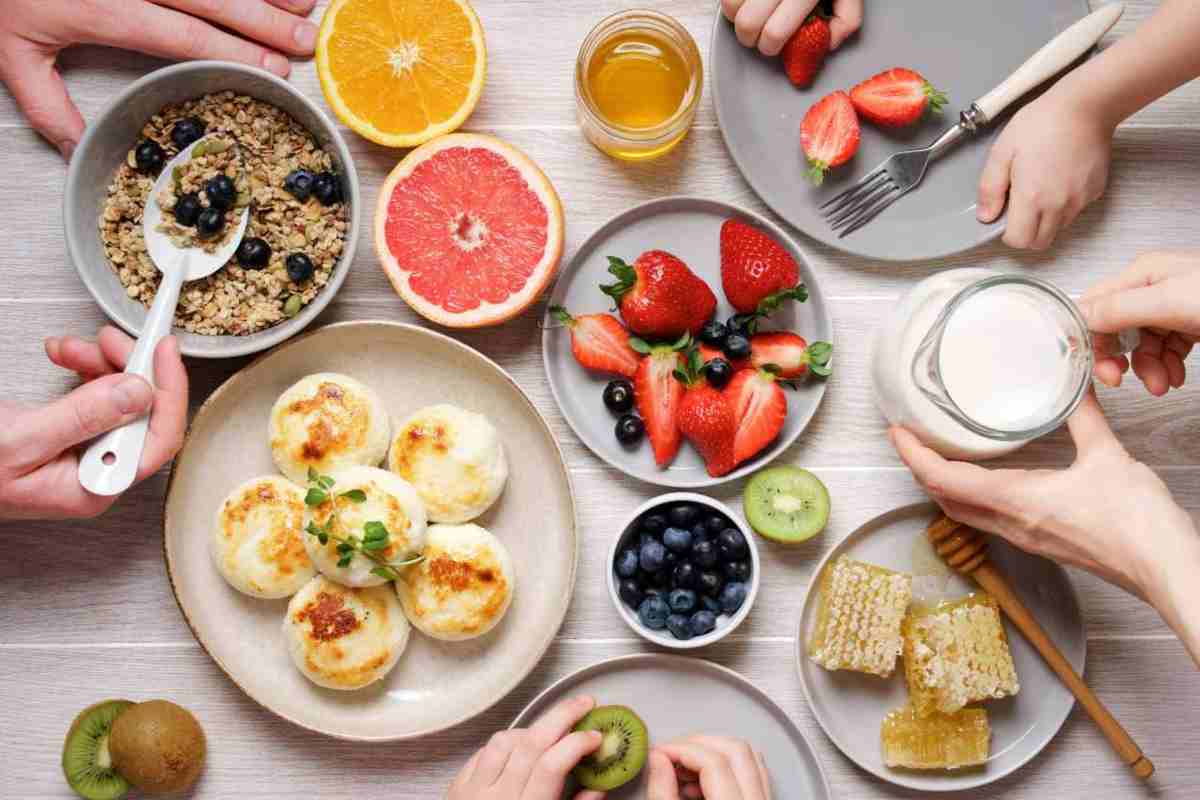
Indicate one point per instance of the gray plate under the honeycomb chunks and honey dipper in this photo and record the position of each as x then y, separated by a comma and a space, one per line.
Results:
851, 706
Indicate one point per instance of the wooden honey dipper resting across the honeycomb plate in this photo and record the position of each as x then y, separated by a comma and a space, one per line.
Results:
967, 551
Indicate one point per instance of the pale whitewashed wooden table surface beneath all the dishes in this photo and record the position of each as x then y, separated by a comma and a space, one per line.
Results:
87, 613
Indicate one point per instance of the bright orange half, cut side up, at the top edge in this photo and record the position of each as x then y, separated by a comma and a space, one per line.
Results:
401, 73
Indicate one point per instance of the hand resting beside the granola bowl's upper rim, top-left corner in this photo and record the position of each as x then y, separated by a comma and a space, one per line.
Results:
33, 33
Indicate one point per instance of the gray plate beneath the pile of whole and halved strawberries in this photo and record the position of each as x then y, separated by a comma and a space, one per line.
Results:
691, 228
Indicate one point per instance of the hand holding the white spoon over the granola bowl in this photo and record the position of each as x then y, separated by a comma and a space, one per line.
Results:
39, 465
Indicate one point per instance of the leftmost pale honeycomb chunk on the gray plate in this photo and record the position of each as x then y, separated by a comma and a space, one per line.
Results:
859, 619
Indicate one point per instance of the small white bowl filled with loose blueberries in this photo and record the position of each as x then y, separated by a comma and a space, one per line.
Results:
629, 539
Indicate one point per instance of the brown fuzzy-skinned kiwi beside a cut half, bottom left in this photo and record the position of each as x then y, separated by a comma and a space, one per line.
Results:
158, 747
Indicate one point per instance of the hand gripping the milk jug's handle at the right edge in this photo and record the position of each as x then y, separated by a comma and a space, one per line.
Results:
1160, 294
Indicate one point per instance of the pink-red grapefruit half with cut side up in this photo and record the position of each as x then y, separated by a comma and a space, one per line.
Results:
469, 231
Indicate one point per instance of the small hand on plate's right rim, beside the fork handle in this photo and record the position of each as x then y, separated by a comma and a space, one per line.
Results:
1051, 163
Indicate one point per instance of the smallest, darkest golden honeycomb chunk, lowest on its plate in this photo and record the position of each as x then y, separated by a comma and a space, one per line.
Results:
939, 742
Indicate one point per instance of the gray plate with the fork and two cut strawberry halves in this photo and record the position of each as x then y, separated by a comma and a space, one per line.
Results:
964, 49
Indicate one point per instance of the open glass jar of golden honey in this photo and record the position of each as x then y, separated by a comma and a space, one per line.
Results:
638, 85
